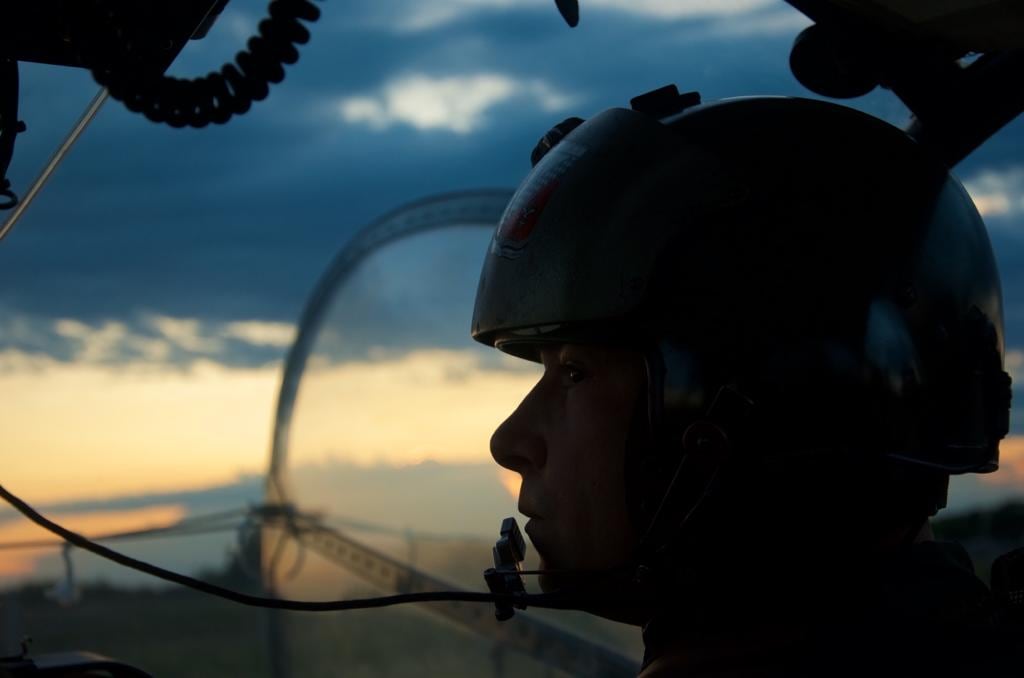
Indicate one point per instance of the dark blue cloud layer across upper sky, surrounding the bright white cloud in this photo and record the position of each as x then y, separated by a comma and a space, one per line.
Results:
238, 223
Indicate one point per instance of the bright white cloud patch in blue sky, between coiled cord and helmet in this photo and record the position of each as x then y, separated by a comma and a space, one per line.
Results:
456, 104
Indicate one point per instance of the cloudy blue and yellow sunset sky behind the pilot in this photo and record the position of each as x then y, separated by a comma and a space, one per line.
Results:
150, 295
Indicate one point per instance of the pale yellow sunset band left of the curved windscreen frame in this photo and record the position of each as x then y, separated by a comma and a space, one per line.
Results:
79, 430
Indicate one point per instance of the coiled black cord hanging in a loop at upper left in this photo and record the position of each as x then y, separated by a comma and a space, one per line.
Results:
108, 52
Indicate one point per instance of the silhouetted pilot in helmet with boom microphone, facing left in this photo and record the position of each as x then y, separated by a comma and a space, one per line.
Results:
772, 329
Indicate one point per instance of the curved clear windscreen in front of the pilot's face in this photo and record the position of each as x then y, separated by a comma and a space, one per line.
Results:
385, 468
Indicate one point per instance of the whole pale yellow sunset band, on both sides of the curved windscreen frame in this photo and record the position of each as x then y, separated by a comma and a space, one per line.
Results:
86, 431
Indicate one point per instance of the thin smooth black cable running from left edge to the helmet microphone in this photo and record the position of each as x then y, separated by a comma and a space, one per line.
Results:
550, 601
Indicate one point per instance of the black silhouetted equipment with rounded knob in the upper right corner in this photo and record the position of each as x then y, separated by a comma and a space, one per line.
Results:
957, 103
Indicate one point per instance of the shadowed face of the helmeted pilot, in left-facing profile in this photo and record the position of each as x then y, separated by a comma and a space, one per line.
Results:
568, 441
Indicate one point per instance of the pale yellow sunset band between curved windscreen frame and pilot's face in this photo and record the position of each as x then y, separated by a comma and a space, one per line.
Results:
436, 405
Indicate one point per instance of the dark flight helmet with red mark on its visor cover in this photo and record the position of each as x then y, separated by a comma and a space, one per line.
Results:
810, 288
